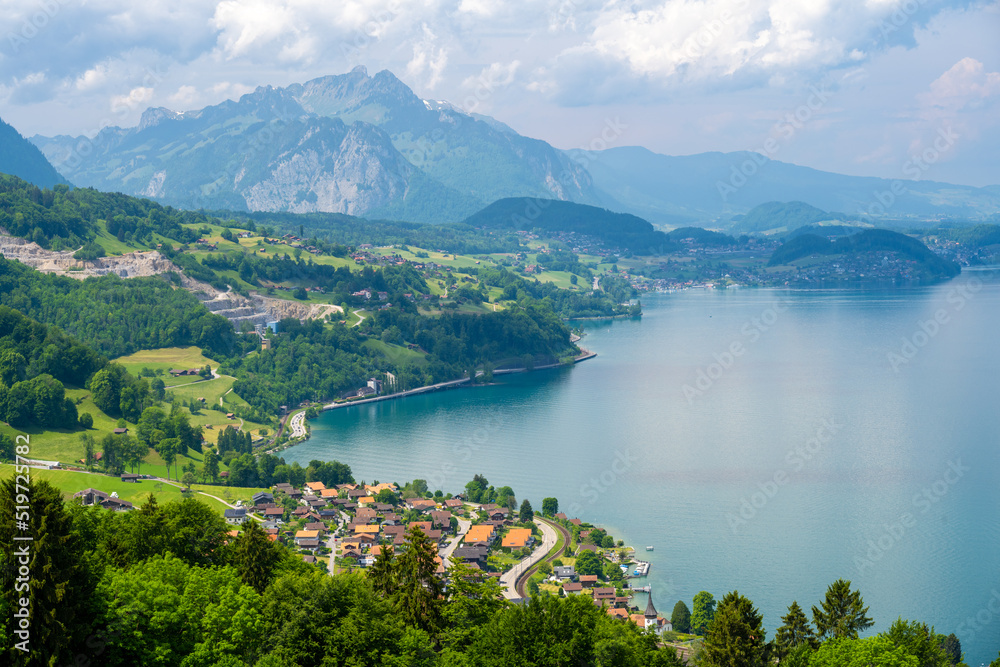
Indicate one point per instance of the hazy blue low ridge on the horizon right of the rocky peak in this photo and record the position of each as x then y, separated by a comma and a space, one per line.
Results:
709, 188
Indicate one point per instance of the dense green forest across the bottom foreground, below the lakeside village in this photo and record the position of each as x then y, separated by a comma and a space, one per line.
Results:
168, 585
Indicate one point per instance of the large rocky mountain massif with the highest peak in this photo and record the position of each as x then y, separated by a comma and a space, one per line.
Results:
346, 144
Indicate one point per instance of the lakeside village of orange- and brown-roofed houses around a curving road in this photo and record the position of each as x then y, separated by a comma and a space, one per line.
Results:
345, 527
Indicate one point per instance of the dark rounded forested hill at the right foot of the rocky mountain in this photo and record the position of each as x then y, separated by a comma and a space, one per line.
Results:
620, 229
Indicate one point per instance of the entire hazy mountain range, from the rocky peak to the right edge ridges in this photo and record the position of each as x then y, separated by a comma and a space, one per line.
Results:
368, 146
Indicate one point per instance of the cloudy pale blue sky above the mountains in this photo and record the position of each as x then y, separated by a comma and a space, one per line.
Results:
869, 87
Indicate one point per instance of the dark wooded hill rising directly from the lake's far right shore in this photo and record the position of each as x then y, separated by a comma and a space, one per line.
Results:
869, 240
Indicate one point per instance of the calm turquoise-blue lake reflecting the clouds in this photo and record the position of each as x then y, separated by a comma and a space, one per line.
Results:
900, 493
